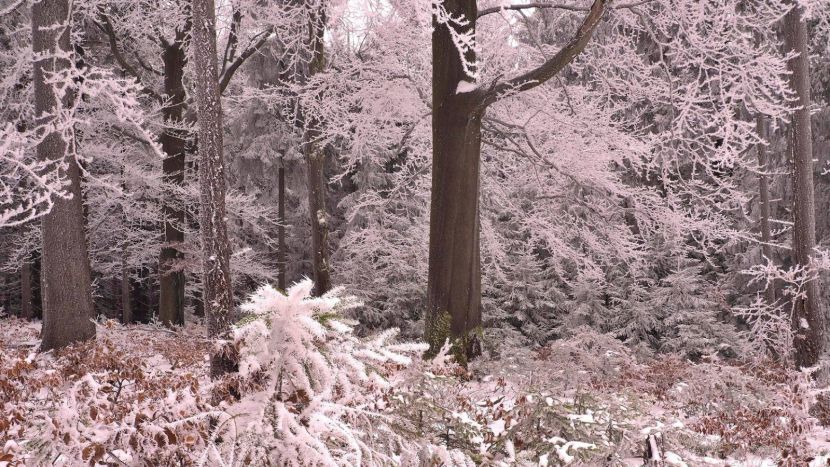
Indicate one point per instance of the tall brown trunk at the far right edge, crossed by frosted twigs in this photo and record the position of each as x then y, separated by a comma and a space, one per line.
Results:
808, 319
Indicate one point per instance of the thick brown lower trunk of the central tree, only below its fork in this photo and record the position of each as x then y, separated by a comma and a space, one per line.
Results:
454, 281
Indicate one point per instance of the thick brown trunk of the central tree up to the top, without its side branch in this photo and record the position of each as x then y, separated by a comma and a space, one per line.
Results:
454, 280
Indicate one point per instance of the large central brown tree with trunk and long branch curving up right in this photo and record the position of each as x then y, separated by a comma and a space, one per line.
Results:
458, 107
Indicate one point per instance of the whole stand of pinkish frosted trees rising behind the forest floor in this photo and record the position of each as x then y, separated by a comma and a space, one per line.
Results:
631, 172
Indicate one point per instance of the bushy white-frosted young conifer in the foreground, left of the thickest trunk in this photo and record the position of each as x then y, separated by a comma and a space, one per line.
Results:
321, 404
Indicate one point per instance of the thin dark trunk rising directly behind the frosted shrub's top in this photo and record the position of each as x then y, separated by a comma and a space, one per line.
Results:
315, 158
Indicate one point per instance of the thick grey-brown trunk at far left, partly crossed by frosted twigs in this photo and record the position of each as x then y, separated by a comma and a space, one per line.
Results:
66, 281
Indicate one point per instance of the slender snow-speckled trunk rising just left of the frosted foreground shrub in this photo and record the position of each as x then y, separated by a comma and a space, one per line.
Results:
218, 298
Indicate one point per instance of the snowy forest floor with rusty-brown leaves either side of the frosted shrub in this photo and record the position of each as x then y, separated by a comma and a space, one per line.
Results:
137, 395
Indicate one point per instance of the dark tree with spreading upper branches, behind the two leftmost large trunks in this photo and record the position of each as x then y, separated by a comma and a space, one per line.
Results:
129, 20
